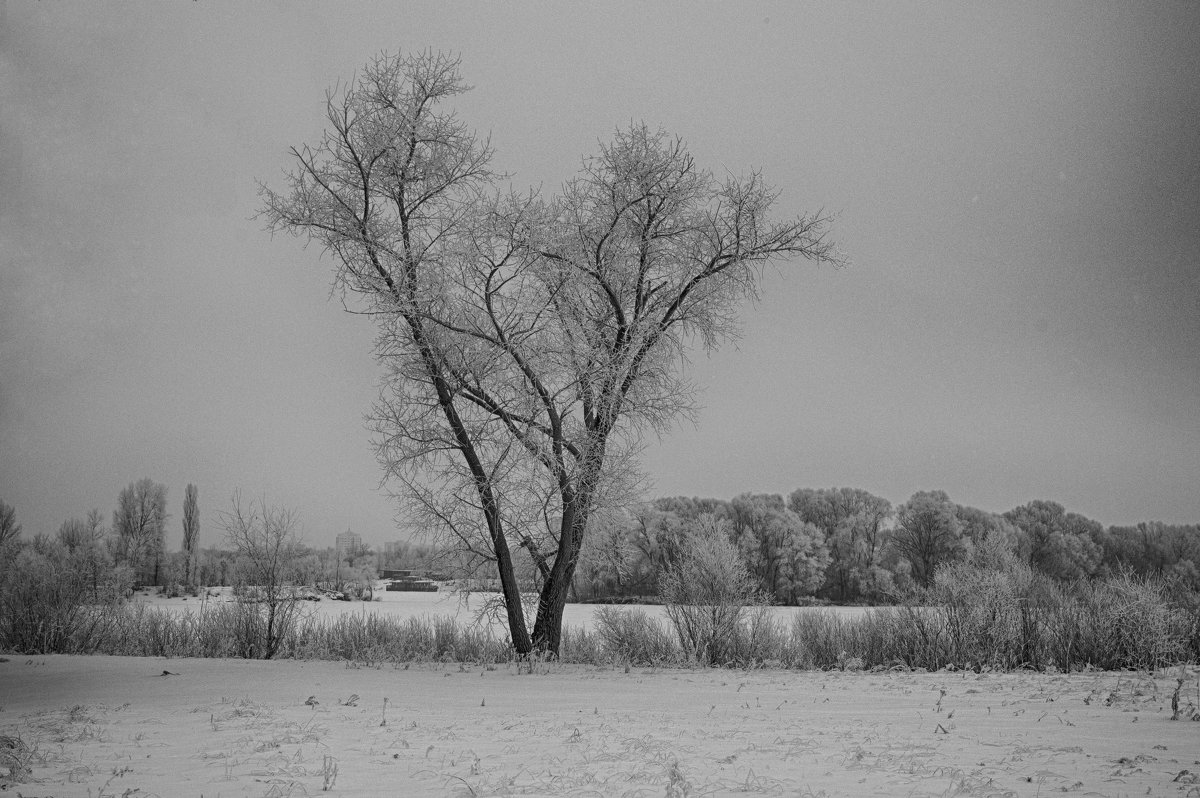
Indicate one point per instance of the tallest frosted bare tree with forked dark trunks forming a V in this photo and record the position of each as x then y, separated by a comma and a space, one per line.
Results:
529, 345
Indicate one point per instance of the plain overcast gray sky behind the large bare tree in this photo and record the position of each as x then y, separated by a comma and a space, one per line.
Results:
1017, 185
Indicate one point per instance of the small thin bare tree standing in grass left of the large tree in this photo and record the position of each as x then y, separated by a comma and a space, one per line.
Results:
268, 551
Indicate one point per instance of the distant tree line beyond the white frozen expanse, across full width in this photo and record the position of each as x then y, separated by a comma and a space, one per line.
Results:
815, 545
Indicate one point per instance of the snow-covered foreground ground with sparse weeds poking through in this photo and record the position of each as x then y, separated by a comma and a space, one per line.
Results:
129, 727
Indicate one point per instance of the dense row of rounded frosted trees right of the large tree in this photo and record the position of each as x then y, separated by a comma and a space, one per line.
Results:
847, 545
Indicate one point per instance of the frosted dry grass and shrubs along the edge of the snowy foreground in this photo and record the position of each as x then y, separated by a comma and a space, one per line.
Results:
970, 621
